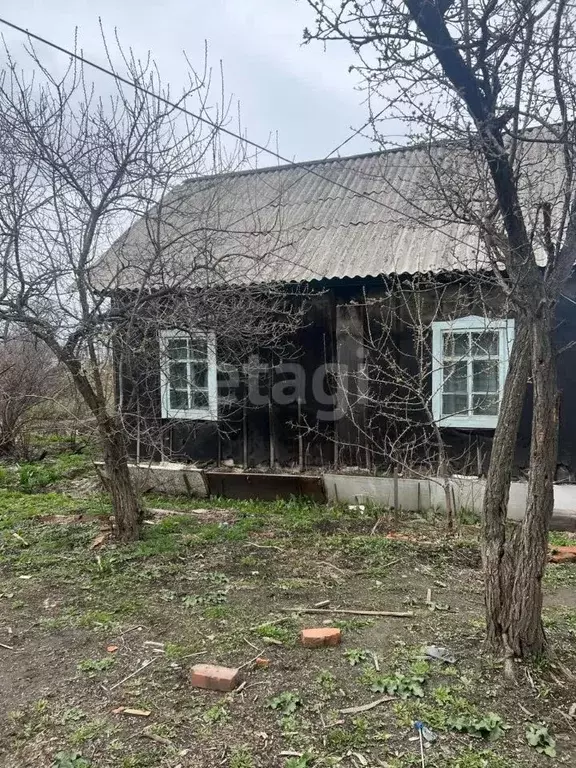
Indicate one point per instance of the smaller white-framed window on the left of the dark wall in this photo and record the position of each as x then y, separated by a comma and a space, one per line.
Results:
188, 375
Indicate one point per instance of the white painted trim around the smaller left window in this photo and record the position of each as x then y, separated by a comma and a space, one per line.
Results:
198, 414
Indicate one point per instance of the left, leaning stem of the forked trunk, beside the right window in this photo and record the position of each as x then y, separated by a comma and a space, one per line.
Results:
496, 557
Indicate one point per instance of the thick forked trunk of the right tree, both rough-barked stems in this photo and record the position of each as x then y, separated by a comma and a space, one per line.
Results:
513, 569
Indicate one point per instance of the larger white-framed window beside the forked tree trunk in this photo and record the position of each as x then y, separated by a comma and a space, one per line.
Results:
470, 366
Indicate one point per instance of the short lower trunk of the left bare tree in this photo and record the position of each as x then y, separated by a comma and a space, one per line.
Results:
127, 511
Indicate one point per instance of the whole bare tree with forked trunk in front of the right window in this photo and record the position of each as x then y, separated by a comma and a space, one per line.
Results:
495, 77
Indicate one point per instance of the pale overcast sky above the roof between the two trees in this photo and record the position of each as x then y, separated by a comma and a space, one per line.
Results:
304, 93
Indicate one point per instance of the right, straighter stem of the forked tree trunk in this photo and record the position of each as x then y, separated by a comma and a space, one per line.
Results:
524, 633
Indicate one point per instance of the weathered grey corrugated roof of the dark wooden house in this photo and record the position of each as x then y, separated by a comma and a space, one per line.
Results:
398, 211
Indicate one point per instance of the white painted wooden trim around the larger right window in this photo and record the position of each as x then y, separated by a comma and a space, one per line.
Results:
505, 327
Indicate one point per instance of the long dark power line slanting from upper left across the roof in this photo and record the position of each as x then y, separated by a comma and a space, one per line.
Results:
306, 168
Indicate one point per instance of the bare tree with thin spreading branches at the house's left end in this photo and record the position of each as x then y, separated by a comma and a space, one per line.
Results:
76, 170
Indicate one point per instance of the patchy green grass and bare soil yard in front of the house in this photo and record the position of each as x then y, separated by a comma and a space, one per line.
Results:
193, 591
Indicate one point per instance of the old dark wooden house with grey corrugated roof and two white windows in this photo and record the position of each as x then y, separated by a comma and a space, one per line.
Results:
399, 359
